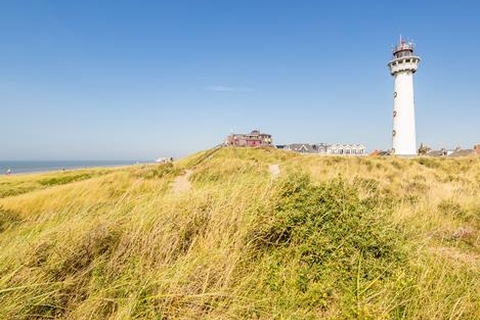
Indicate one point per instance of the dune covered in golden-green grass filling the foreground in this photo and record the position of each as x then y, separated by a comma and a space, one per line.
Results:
329, 237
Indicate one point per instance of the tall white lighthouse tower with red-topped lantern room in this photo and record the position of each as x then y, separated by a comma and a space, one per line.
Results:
402, 67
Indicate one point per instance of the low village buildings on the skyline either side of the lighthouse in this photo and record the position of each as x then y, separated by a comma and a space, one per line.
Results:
260, 139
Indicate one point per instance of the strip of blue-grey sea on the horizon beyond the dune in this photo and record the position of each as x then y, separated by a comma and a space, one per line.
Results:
17, 167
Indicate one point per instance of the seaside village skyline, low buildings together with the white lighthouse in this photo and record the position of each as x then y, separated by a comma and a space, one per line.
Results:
402, 67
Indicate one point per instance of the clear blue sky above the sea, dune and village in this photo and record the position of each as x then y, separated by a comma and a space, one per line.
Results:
137, 80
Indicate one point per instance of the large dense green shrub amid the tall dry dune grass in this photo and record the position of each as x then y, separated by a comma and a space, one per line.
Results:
335, 240
